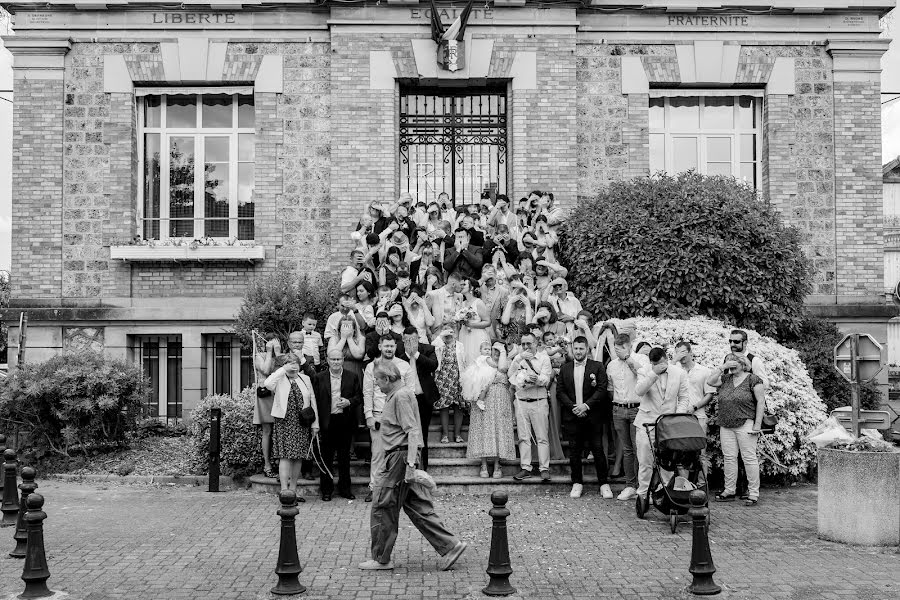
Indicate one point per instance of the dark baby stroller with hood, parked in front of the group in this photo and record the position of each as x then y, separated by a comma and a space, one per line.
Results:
679, 441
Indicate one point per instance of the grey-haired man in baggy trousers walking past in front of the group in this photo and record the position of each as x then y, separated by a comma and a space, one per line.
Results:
401, 435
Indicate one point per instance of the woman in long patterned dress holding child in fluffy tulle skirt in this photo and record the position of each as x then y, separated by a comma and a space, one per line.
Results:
491, 420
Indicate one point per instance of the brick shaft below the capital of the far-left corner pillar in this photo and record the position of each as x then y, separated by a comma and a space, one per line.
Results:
37, 238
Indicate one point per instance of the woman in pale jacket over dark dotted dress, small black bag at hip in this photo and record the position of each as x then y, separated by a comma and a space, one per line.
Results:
292, 434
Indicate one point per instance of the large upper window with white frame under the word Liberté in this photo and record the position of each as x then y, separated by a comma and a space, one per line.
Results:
181, 132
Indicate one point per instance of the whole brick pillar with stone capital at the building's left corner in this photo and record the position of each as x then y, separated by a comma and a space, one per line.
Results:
37, 164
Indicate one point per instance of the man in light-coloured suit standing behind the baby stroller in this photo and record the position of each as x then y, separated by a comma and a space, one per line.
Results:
663, 389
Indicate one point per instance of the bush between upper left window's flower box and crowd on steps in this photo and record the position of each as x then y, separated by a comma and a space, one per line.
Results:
275, 303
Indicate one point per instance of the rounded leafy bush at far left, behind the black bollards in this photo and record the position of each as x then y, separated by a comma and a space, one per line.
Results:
81, 400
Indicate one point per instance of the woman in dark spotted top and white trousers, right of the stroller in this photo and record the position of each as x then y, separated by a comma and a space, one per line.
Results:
741, 405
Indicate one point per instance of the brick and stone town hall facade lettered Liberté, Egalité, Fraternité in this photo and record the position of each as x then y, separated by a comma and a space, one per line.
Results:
779, 94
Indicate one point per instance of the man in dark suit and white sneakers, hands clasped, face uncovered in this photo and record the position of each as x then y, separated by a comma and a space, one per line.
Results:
585, 405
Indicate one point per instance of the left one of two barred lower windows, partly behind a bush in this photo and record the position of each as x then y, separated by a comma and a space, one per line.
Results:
160, 361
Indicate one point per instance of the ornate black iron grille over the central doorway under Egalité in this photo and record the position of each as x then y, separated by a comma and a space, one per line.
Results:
452, 141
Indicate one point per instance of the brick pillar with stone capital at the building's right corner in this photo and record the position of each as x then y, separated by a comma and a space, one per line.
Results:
858, 188
